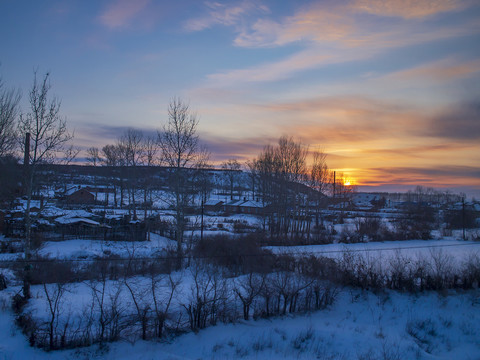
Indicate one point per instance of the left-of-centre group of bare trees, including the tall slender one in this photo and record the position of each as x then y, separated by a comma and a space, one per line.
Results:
176, 147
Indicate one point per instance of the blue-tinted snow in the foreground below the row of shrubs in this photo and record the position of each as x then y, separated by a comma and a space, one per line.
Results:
360, 325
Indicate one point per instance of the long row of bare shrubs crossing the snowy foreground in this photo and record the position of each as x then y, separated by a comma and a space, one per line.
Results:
150, 306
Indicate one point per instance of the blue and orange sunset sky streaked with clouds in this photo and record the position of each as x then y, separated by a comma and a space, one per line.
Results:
388, 89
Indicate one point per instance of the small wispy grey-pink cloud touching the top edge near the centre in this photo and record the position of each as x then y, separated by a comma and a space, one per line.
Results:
223, 14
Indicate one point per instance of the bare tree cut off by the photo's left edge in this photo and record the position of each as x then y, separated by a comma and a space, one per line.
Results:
8, 114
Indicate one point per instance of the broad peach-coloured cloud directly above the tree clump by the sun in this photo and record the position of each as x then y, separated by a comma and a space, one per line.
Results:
346, 118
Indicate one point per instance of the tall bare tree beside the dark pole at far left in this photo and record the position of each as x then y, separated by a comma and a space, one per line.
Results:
49, 135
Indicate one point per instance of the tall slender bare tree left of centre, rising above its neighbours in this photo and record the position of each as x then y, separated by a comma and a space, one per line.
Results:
178, 142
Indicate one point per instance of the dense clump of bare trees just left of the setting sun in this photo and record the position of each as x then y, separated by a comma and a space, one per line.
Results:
294, 192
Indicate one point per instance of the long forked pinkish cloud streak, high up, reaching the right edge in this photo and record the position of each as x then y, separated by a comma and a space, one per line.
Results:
331, 36
